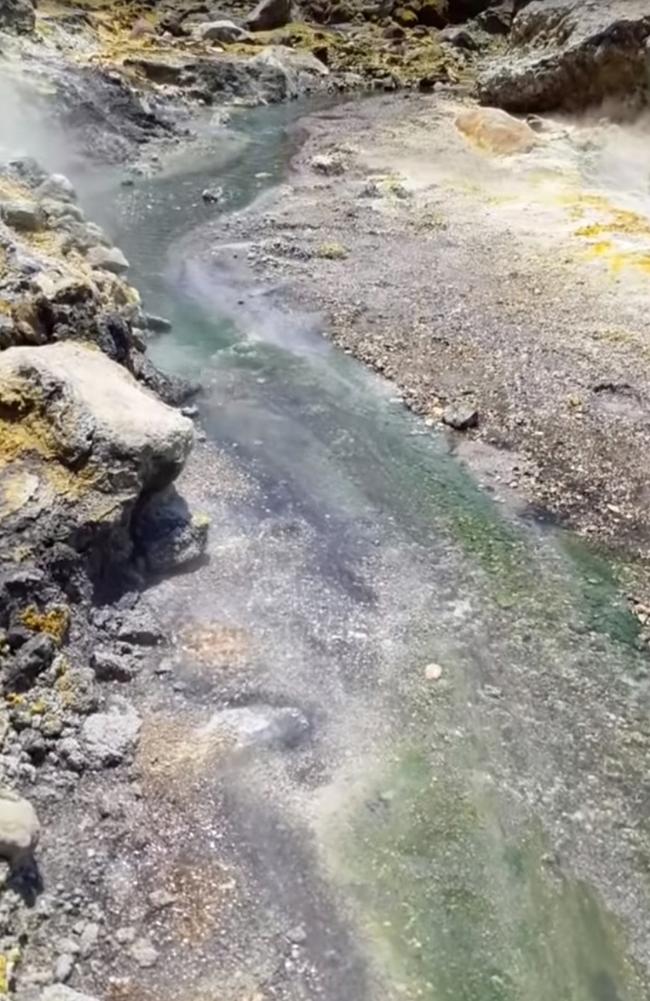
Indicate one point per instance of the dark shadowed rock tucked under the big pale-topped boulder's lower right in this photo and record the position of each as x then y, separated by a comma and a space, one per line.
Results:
168, 535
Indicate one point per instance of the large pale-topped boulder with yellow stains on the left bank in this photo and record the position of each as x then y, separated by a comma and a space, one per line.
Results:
81, 444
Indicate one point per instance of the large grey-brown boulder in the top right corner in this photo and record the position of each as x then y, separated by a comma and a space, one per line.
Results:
571, 55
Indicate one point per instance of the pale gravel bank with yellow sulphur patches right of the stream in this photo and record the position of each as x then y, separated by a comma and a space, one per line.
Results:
527, 329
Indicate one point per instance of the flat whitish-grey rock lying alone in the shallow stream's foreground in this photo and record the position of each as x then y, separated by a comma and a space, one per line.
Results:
255, 726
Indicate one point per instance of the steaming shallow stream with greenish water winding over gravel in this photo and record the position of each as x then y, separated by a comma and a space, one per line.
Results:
459, 822
